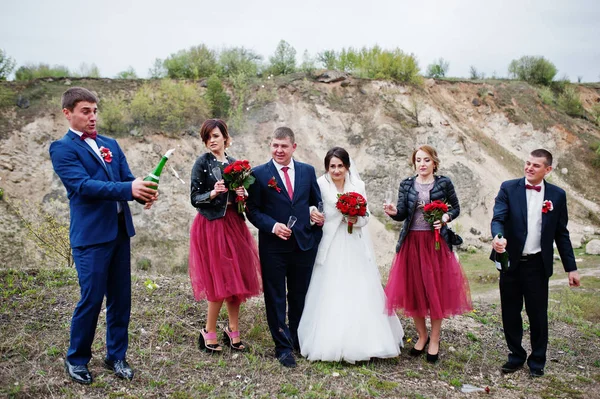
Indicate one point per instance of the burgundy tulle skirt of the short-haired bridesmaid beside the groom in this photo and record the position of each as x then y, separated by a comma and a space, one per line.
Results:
223, 262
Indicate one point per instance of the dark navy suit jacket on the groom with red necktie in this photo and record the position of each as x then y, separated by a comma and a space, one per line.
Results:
266, 206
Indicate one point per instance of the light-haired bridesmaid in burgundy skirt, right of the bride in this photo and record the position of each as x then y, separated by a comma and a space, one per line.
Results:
425, 281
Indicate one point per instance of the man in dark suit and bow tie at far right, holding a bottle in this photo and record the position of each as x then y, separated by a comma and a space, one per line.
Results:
531, 214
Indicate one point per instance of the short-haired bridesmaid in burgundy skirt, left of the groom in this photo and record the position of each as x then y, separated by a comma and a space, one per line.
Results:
223, 264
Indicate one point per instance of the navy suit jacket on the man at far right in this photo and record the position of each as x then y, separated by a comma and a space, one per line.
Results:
510, 219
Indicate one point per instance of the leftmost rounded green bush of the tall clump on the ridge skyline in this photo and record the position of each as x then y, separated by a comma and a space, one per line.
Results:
195, 63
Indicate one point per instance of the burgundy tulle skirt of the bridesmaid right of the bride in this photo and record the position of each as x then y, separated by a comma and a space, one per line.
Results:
425, 281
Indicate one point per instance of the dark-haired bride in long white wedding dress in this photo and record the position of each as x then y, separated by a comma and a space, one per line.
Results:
344, 315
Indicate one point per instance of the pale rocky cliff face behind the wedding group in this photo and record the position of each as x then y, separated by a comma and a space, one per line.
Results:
483, 133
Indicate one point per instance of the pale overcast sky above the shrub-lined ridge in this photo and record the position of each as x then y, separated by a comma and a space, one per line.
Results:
486, 34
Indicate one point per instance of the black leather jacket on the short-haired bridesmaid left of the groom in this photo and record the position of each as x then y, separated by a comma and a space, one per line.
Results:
202, 184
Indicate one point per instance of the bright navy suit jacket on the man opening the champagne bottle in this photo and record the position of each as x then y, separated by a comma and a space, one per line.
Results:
93, 188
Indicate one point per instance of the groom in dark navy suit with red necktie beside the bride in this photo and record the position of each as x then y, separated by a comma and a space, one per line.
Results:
285, 187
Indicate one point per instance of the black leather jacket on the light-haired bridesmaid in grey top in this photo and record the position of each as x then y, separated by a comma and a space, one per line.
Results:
443, 189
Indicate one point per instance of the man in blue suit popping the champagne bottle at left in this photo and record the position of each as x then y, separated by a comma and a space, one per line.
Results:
99, 183
